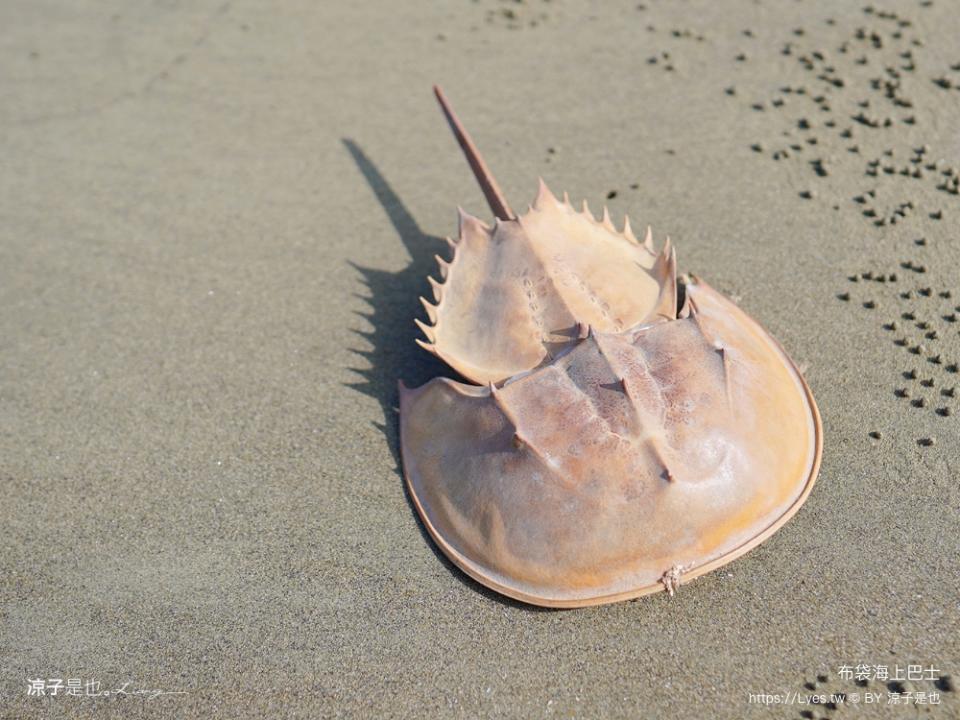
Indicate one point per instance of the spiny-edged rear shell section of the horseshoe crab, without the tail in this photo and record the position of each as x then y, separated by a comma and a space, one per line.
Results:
514, 295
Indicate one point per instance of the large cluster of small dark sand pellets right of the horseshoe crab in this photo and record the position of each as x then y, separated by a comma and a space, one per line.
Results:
853, 137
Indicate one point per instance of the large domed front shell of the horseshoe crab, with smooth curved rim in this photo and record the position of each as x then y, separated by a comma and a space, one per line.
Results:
628, 463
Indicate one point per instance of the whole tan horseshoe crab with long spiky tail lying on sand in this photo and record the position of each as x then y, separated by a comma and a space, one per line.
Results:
620, 443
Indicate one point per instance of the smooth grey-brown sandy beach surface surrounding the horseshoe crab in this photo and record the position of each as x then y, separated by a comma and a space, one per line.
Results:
215, 221
